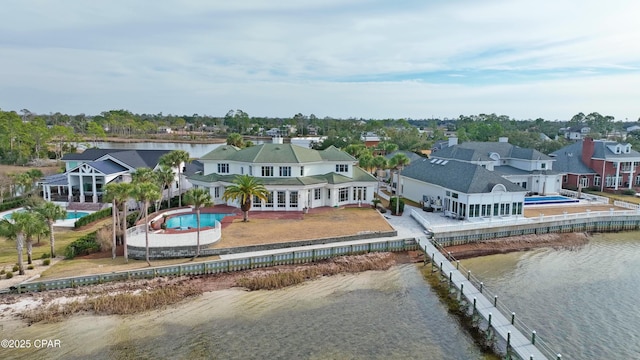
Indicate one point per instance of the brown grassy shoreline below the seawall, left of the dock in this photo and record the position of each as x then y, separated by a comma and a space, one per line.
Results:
55, 305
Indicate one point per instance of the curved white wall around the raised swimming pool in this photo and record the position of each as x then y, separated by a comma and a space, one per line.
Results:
208, 236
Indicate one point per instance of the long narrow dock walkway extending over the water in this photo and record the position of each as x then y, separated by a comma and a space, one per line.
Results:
518, 343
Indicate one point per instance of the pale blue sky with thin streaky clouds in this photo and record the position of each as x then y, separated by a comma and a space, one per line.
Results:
369, 59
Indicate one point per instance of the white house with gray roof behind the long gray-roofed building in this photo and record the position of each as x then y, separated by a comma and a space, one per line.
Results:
528, 168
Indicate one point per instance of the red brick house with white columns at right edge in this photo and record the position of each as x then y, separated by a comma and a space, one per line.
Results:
601, 164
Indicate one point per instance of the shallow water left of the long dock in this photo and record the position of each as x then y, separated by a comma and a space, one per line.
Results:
374, 315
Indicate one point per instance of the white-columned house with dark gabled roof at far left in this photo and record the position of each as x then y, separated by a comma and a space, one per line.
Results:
88, 172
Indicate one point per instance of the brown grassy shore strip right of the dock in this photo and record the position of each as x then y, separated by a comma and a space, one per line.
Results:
518, 243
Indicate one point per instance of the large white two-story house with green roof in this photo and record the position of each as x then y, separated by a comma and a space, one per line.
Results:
296, 177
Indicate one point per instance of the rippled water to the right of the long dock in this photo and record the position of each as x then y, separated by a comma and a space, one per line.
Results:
584, 302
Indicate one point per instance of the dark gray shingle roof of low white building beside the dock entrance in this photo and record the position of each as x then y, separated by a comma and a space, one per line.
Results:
458, 176
